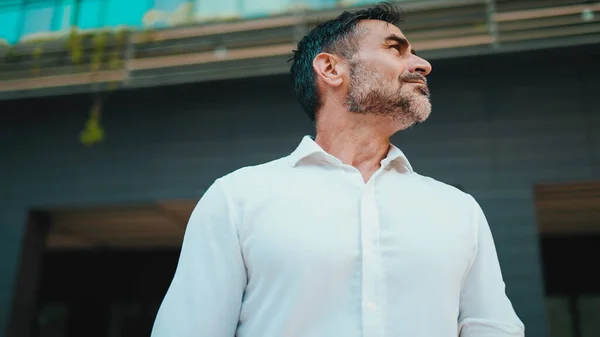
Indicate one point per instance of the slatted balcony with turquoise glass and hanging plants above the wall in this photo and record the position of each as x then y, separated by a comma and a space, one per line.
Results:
67, 46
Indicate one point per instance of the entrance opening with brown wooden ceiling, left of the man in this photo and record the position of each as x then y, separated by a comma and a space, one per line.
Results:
105, 270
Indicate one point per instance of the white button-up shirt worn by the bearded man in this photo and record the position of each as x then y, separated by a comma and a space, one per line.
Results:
303, 247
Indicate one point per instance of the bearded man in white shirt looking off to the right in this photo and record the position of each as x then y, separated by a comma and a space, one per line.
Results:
342, 238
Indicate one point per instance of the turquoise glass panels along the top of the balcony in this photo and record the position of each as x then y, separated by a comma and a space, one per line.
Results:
23, 20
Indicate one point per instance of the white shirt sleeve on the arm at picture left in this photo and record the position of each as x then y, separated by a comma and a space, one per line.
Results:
205, 295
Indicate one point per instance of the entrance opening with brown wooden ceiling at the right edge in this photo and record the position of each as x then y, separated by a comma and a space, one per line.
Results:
569, 225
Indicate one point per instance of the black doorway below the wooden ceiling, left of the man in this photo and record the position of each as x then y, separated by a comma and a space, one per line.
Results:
102, 293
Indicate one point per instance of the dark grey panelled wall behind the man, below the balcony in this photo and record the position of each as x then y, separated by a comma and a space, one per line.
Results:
500, 125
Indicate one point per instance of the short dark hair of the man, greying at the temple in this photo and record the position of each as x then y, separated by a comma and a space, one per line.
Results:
337, 36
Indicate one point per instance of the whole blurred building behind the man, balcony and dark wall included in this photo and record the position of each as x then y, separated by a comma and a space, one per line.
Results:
115, 116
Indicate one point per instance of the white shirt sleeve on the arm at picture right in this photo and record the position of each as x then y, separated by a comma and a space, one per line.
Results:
485, 310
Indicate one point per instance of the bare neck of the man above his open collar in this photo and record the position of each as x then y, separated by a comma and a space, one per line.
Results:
358, 140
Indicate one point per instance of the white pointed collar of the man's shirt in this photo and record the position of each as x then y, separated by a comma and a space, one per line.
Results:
309, 149
